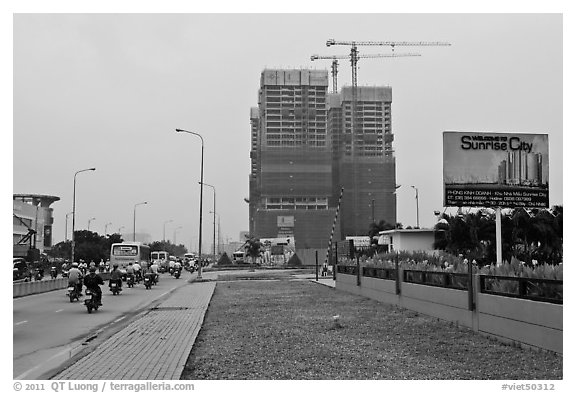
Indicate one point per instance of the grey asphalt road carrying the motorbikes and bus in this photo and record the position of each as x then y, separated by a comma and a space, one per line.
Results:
48, 329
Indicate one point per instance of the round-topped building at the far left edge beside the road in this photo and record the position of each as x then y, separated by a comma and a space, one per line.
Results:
32, 212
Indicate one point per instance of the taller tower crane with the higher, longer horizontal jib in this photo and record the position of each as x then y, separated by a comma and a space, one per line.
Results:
354, 56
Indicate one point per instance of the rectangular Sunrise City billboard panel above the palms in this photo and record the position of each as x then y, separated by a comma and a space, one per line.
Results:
507, 170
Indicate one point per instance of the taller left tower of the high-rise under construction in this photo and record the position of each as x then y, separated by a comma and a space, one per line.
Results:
291, 179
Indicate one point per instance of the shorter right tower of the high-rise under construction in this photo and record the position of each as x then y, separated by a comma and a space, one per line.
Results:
363, 165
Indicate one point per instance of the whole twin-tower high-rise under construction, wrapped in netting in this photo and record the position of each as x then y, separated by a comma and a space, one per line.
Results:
301, 155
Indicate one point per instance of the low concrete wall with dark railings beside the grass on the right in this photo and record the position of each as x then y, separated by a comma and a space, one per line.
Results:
527, 322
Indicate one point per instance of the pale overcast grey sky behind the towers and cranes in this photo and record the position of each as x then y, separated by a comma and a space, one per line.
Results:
108, 90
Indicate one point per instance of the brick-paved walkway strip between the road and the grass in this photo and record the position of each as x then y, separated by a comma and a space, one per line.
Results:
154, 347
